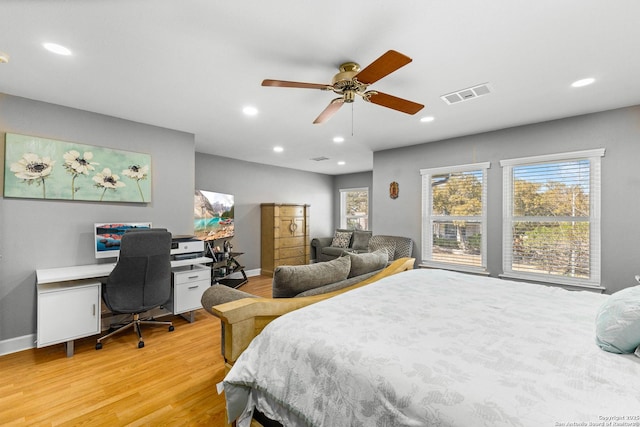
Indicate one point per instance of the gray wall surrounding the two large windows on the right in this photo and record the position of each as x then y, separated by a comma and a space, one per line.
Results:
618, 131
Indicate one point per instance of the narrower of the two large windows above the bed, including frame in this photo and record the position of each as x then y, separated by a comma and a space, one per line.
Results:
454, 221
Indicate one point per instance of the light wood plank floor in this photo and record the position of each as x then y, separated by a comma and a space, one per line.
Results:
170, 382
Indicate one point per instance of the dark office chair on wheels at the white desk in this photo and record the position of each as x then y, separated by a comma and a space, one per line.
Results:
140, 280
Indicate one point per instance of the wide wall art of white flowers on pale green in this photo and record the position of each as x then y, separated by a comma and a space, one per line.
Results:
40, 168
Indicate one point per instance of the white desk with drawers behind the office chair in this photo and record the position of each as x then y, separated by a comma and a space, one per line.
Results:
69, 299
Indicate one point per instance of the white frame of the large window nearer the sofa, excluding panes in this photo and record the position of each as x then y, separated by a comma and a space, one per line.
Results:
428, 218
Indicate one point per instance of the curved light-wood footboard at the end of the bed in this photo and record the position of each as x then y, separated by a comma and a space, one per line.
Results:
244, 319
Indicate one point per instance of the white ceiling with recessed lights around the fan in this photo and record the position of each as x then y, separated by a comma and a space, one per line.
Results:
193, 65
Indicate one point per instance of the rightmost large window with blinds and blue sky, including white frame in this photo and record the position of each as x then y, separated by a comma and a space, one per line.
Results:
551, 224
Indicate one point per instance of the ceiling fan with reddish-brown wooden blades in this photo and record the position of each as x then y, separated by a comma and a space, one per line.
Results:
352, 81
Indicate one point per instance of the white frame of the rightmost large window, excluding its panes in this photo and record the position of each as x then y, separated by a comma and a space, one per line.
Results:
595, 182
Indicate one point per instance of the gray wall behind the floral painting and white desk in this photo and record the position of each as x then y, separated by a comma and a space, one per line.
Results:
48, 233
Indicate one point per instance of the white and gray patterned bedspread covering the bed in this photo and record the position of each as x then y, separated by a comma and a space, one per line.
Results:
437, 348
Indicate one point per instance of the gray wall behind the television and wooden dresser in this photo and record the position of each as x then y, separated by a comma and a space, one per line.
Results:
252, 184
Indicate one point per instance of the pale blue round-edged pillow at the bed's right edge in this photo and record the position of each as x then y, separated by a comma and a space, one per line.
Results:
618, 322
